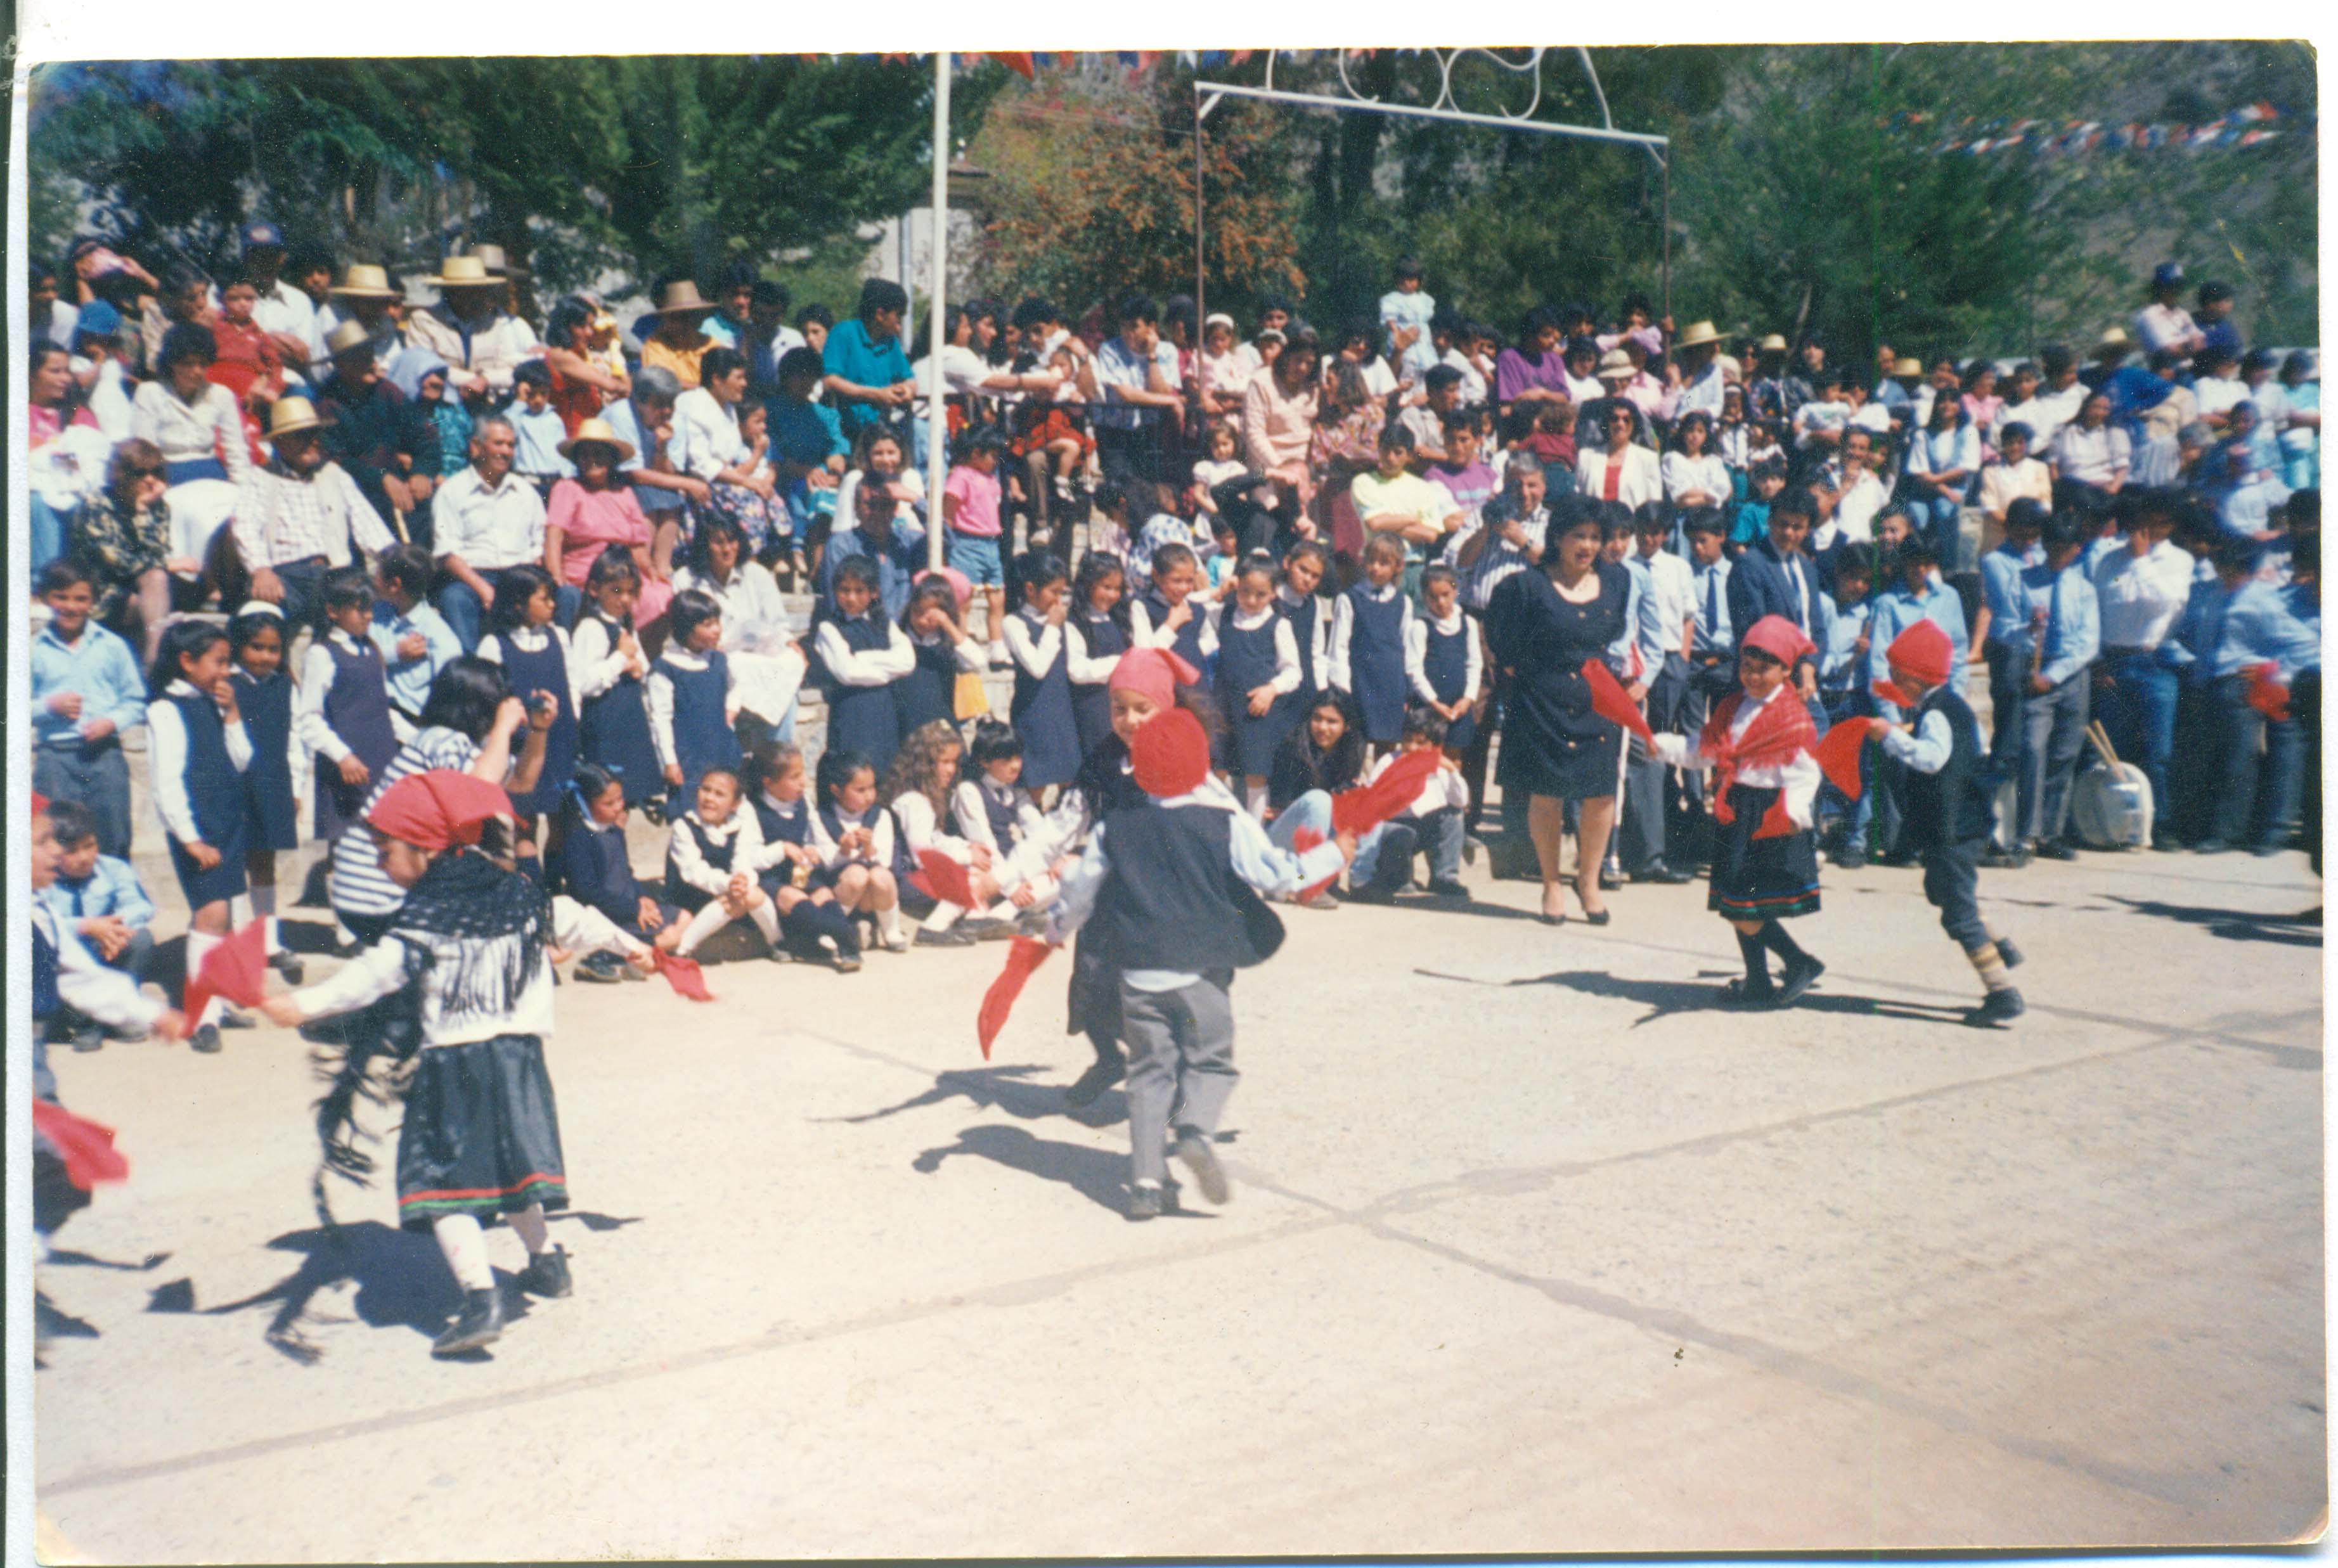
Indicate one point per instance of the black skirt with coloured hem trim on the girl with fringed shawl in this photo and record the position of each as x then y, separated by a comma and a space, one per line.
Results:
483, 1135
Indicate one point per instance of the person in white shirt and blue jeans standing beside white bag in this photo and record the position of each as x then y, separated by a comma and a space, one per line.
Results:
2140, 592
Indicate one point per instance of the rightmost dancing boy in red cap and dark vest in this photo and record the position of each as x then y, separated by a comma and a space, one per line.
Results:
1946, 810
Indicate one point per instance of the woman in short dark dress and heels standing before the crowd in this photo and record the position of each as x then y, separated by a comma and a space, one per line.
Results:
1544, 627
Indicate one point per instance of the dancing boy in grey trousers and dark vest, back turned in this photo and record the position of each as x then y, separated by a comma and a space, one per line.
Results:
1170, 884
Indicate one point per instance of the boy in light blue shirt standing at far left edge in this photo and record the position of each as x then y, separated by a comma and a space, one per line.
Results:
85, 693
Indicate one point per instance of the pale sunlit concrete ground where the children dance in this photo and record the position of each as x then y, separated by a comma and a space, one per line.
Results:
1533, 1249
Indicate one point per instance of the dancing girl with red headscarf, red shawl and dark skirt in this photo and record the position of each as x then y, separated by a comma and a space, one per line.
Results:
1766, 866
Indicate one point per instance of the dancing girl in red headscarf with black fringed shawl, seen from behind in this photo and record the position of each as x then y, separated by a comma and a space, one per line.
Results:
480, 1130
